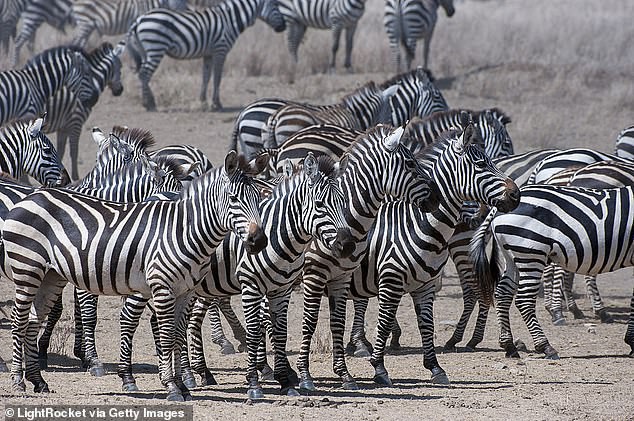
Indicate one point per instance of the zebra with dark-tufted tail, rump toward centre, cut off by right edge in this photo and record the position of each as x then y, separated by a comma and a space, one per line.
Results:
585, 231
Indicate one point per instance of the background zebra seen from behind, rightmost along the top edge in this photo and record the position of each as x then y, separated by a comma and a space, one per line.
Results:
407, 21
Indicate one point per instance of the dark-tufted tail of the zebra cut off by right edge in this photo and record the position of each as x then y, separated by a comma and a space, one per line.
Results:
485, 272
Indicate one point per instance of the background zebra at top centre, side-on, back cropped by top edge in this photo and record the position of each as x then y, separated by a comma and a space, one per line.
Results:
336, 15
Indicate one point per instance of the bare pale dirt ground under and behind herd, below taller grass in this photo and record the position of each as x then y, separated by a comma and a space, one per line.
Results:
594, 379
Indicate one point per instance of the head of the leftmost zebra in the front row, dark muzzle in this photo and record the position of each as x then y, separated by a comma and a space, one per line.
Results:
240, 199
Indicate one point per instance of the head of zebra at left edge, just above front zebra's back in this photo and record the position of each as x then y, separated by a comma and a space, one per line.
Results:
41, 160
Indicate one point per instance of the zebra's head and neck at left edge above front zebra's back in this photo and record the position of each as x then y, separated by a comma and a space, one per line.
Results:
25, 149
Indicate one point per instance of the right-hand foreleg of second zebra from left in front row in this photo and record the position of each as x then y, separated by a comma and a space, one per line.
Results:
283, 373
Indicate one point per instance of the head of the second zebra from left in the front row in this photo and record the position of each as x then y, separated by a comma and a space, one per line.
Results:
328, 221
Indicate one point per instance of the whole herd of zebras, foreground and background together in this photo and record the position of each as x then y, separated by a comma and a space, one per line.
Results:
366, 197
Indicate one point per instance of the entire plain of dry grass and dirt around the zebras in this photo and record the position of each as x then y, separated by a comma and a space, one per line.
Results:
561, 69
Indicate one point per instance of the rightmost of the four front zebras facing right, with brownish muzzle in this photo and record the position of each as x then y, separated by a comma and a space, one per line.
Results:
407, 248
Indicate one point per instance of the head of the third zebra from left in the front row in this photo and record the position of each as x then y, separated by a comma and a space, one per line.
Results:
378, 156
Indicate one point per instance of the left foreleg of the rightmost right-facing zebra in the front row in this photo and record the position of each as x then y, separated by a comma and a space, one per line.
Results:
388, 304
